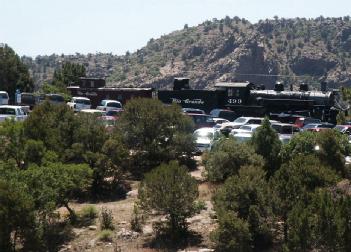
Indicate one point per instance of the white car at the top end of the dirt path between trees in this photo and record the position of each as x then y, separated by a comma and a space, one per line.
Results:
204, 138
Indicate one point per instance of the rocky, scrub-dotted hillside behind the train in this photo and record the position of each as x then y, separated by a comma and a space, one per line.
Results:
226, 50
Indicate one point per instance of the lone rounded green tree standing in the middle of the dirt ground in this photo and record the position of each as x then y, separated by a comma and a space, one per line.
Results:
171, 191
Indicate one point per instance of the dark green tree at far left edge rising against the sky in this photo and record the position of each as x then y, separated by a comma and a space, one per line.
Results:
13, 73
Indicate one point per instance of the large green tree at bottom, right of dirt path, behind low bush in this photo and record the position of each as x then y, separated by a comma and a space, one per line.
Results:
246, 196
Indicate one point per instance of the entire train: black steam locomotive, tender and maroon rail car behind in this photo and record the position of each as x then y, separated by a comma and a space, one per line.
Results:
242, 97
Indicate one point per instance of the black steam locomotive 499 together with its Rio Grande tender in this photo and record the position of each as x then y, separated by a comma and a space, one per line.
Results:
248, 99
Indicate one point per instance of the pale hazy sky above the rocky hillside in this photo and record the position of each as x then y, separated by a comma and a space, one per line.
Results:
43, 27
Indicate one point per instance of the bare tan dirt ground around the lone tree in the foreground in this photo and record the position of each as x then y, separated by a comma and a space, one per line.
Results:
87, 238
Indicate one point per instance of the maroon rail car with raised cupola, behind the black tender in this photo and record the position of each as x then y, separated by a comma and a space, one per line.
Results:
95, 90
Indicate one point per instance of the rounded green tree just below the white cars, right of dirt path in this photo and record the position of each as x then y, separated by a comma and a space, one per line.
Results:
227, 157
